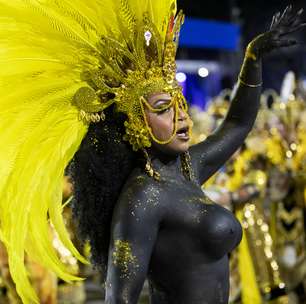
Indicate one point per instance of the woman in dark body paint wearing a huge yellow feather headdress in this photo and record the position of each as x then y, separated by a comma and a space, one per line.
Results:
120, 69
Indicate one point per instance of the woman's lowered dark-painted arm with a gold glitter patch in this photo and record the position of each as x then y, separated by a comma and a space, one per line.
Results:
134, 231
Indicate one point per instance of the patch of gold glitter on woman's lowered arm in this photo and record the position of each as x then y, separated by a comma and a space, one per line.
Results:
123, 257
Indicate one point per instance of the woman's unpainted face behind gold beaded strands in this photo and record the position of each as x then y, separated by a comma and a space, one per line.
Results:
163, 124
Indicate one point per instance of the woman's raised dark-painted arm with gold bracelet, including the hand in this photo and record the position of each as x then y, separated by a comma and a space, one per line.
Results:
208, 156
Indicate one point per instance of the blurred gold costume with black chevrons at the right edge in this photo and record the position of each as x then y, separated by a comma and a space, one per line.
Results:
287, 154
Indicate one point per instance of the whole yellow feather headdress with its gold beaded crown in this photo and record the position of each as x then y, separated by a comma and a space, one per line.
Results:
62, 60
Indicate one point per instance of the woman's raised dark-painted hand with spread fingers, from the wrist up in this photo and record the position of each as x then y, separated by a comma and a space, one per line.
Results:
277, 37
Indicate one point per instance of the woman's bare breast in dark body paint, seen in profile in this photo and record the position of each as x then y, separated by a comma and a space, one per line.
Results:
213, 229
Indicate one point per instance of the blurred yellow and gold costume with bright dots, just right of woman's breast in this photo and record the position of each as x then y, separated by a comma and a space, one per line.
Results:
258, 266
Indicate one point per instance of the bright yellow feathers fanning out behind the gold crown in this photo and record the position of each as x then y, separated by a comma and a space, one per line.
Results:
45, 45
